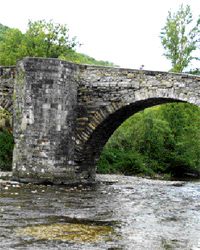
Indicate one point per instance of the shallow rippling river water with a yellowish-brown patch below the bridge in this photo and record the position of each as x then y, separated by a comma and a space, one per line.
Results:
119, 212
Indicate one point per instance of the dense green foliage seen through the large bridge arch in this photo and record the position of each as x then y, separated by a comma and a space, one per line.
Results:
161, 140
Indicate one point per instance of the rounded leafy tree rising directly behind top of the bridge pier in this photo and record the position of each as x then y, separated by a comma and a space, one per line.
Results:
47, 39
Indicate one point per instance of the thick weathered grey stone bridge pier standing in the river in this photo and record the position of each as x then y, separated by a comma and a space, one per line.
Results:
45, 99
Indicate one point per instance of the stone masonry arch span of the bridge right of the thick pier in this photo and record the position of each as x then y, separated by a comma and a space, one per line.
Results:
108, 96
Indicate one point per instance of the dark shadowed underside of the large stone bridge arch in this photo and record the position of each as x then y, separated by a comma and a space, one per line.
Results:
94, 145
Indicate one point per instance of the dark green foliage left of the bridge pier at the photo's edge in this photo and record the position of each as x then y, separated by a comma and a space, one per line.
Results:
6, 150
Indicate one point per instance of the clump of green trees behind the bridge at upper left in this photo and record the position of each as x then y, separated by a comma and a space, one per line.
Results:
42, 39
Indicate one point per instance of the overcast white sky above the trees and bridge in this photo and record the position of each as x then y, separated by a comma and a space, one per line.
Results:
125, 32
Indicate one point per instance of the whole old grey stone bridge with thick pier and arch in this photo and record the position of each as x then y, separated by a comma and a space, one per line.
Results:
64, 113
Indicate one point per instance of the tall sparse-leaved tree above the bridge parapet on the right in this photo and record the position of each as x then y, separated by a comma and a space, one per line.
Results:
180, 39
